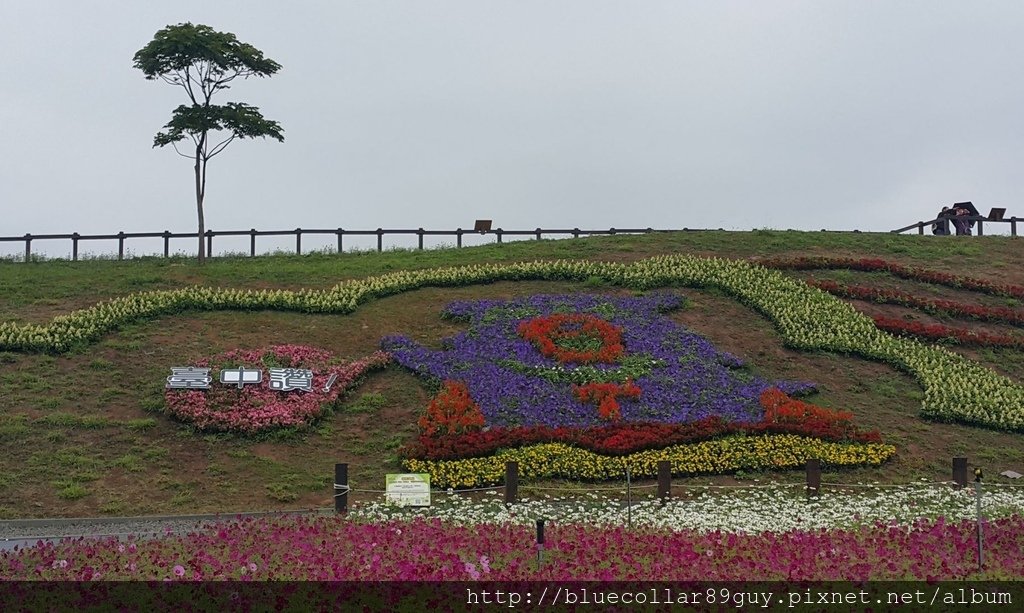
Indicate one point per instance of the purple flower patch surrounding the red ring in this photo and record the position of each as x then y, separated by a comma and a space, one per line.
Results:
682, 377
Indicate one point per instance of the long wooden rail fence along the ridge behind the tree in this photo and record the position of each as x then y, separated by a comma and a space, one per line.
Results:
340, 234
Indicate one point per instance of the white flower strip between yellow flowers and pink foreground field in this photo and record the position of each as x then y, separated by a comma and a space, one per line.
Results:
779, 509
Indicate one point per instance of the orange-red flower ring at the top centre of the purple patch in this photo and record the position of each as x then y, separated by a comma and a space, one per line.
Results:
549, 333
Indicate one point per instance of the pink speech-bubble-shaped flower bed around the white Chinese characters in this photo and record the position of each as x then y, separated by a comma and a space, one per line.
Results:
257, 408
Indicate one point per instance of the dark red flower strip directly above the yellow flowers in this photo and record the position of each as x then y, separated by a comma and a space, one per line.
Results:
783, 416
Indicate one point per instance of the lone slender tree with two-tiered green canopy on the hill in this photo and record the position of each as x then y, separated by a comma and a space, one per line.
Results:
203, 62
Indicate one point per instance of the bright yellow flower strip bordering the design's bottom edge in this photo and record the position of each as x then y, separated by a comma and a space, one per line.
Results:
706, 458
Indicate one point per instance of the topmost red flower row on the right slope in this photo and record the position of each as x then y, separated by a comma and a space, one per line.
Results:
901, 271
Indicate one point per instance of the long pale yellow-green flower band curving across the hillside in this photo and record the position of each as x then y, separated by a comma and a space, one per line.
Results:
956, 388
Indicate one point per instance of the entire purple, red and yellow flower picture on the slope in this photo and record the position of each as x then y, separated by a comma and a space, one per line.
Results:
586, 386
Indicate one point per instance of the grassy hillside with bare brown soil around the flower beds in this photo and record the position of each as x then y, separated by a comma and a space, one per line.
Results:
84, 433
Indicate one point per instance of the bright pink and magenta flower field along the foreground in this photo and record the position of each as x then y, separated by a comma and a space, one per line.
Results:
334, 550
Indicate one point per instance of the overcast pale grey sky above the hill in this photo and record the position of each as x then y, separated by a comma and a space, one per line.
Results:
801, 115
